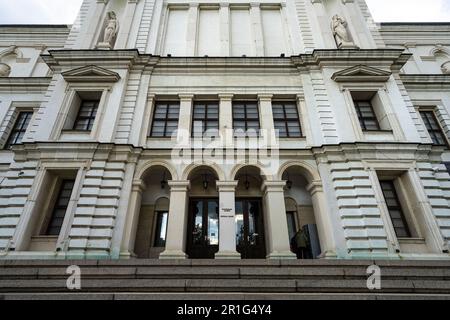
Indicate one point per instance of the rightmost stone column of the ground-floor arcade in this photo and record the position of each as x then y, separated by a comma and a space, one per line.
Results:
324, 228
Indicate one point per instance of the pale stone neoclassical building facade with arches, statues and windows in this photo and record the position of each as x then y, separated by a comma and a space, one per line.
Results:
175, 129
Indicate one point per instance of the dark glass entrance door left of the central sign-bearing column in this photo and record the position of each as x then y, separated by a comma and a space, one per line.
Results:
203, 230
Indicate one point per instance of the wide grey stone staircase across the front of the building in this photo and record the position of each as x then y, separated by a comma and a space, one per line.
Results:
224, 279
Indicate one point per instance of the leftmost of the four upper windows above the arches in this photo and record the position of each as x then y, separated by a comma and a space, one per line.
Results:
165, 119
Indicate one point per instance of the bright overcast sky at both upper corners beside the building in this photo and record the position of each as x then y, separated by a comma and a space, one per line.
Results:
65, 11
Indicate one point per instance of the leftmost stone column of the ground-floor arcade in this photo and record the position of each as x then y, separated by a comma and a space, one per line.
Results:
134, 209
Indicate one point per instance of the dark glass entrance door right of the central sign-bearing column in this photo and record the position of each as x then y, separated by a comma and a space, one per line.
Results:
250, 229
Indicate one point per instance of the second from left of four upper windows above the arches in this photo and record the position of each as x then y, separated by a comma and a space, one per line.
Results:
205, 119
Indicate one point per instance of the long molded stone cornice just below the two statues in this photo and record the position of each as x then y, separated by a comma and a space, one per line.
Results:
59, 60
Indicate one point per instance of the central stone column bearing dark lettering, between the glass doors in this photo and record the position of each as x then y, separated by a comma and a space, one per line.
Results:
227, 220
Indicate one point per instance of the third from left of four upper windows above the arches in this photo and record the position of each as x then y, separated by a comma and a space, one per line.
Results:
246, 118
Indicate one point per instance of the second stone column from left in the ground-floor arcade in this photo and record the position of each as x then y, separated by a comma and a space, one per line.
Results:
177, 222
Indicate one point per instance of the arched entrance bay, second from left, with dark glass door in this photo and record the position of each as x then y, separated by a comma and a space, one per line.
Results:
203, 214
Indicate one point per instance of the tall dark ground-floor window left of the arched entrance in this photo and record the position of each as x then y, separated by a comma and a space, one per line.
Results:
60, 208
